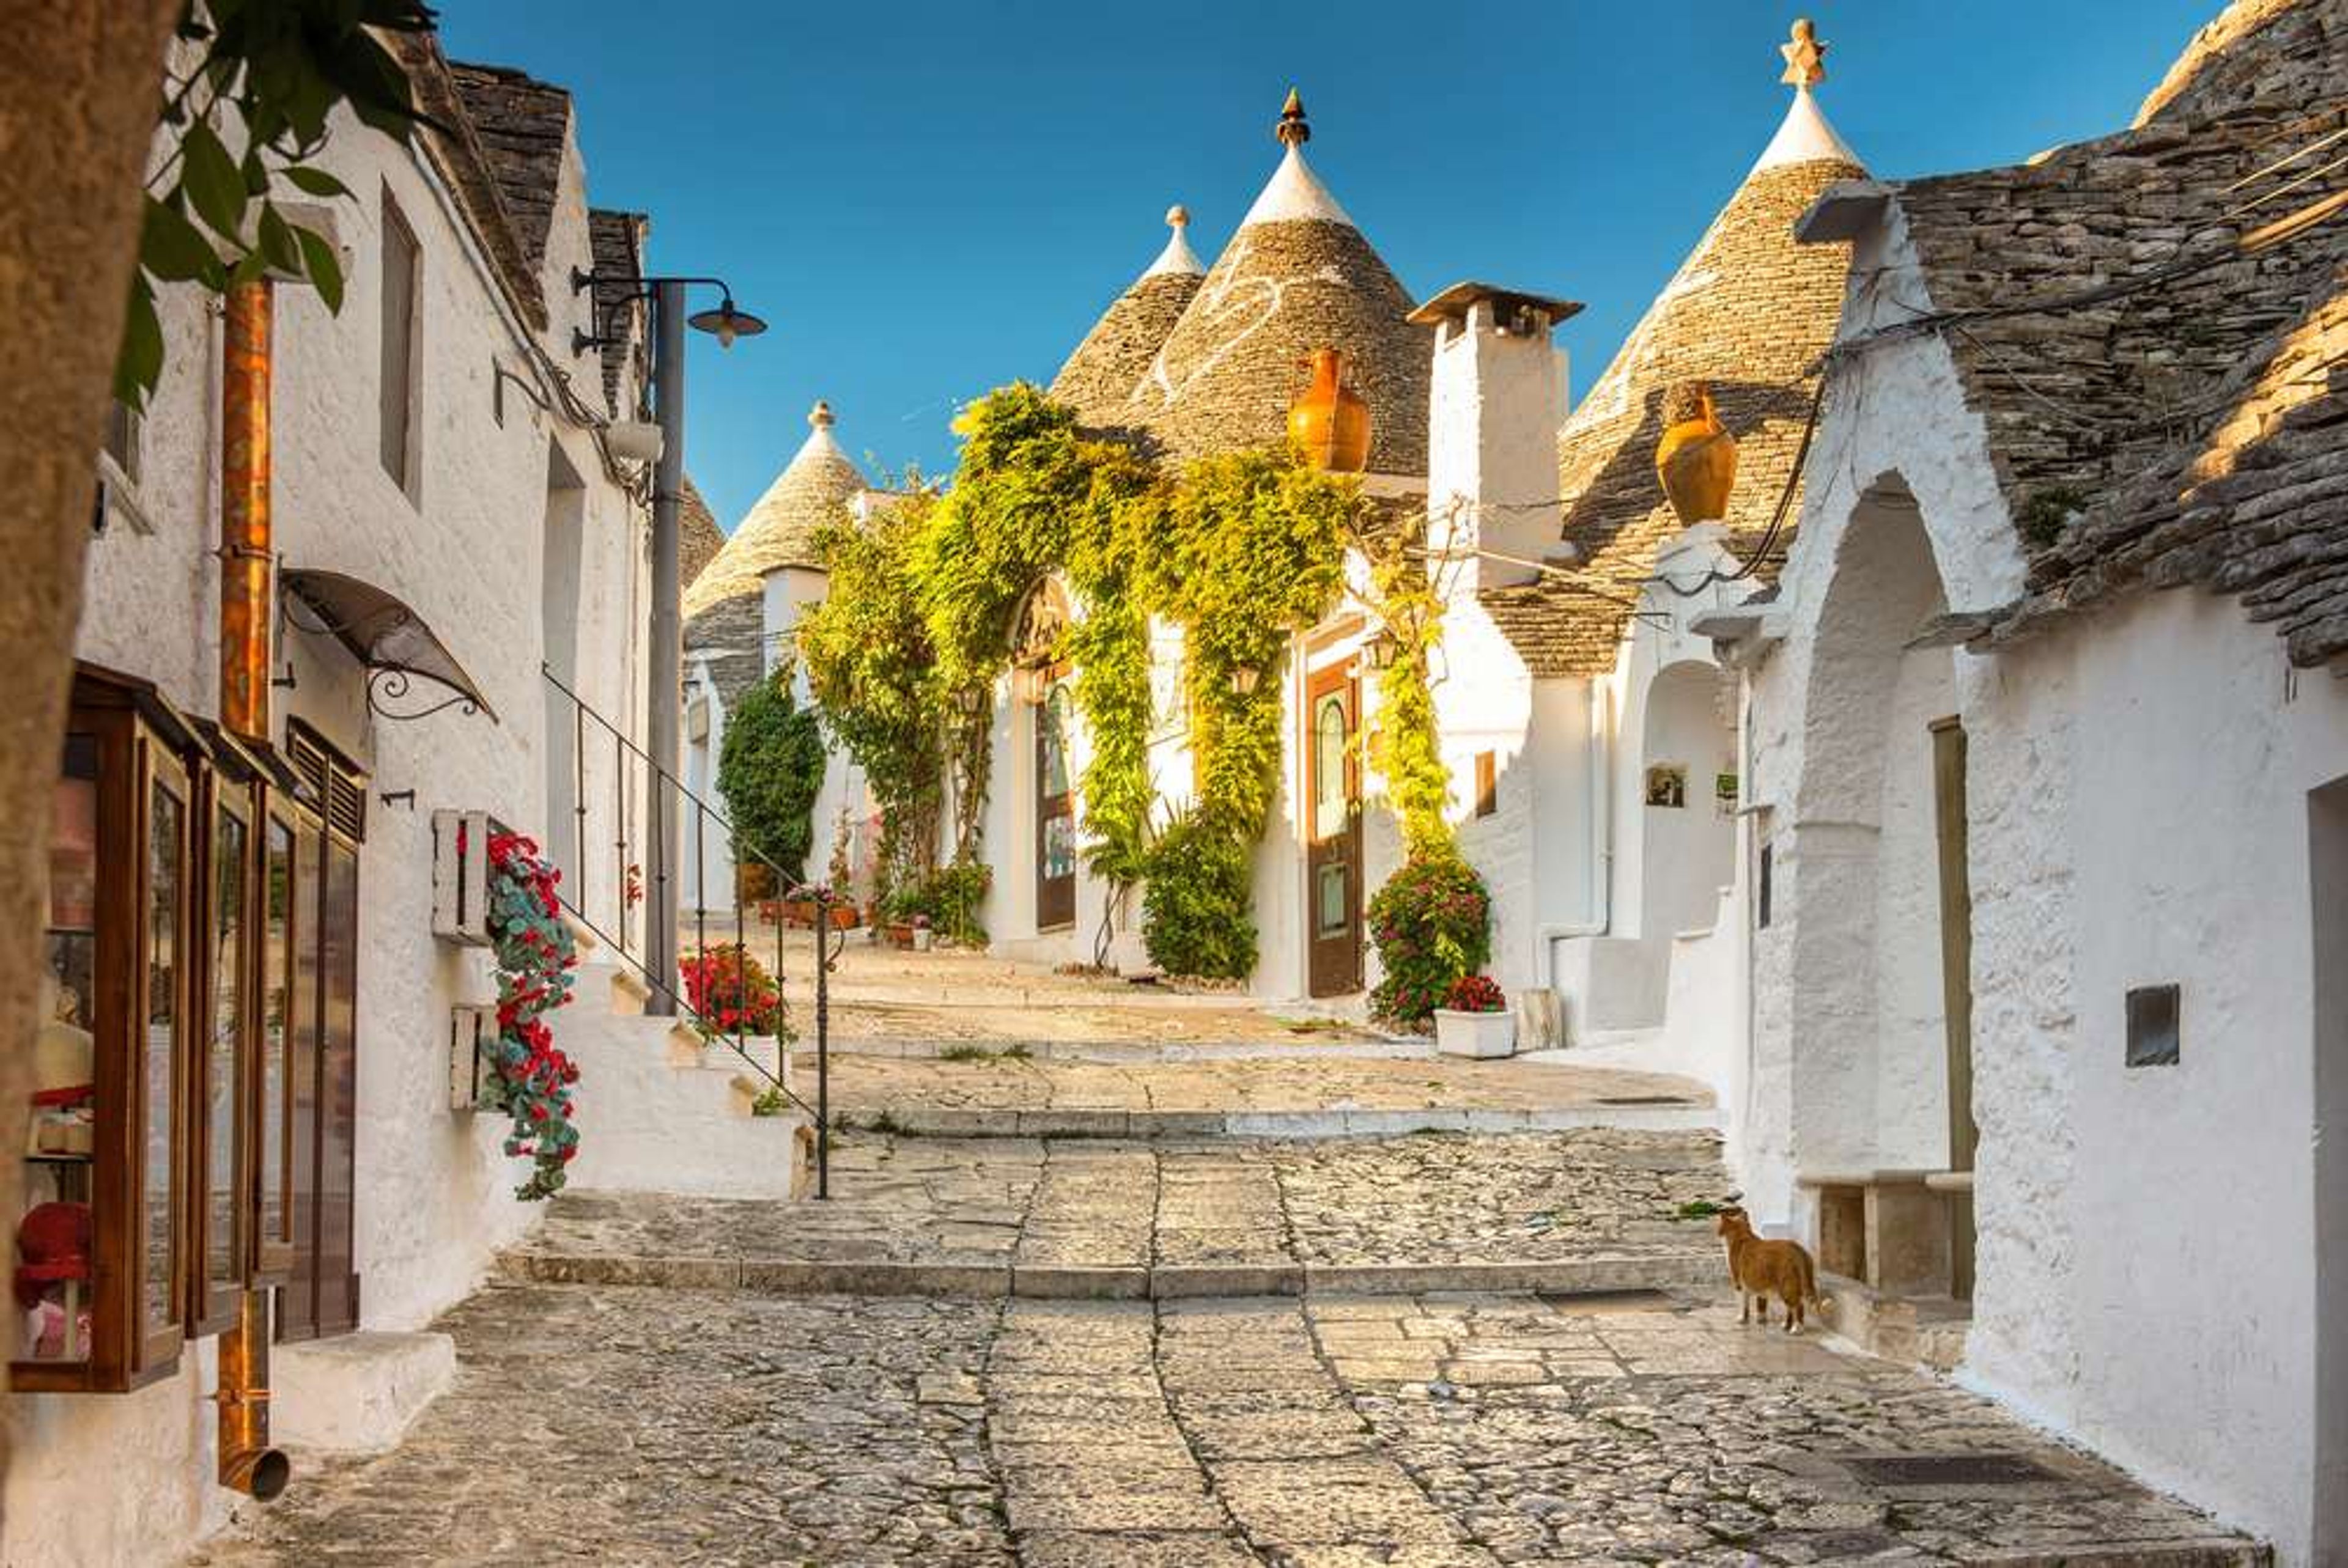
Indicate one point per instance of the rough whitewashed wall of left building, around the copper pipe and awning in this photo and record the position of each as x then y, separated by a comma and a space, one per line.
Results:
433, 1191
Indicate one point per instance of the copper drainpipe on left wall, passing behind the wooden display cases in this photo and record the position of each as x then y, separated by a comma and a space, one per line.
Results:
248, 1459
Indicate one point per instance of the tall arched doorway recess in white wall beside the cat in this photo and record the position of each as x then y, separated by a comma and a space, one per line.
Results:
1882, 919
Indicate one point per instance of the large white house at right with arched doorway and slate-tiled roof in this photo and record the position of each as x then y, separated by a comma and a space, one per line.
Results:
2049, 788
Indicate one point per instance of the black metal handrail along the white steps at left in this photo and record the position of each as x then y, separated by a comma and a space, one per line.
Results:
661, 792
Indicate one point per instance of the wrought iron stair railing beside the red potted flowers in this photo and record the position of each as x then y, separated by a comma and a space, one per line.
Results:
642, 792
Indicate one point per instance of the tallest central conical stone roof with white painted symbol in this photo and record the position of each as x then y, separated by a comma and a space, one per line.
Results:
1297, 276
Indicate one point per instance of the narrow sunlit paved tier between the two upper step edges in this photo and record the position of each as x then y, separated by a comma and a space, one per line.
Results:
1286, 1097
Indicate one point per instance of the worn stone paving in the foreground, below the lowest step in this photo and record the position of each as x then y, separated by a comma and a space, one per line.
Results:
635, 1426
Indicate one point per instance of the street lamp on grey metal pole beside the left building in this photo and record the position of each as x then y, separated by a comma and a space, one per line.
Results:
666, 677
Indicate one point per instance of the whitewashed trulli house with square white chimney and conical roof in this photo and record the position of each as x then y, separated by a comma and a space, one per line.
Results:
1591, 734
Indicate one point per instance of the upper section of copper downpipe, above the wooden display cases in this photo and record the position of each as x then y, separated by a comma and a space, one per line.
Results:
245, 513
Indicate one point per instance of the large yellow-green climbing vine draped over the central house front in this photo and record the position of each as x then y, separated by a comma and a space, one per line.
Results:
1236, 550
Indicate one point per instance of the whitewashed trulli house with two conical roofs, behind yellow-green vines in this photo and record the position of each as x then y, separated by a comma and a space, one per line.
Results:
1199, 363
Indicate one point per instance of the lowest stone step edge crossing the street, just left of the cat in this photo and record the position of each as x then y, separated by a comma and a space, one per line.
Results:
1588, 1276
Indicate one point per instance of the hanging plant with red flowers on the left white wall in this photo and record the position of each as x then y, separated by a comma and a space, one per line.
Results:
534, 978
